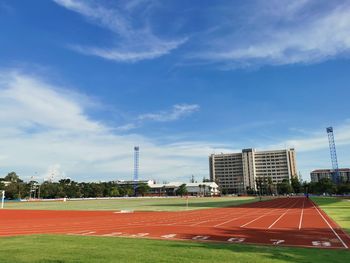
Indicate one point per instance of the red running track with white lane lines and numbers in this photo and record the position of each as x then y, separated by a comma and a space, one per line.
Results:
294, 221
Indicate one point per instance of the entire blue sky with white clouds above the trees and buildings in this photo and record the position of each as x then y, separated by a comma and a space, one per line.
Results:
84, 81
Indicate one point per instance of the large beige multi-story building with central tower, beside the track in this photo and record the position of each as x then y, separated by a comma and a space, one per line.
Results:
237, 172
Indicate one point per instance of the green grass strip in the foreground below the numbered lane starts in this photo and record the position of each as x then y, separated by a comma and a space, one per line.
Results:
55, 248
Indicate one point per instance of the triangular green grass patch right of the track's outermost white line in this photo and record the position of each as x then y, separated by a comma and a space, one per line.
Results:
337, 208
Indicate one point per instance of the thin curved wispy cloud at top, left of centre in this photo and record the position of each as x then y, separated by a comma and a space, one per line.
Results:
135, 43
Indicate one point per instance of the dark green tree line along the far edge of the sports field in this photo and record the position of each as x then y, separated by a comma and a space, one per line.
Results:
15, 188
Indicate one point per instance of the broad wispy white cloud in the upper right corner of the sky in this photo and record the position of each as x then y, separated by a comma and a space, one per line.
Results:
279, 33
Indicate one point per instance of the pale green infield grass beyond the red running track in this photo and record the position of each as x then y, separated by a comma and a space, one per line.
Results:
140, 204
